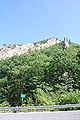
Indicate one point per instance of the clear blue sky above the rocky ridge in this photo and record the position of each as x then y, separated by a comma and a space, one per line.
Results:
27, 21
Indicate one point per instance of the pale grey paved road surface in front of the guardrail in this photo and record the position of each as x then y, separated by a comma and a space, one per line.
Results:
61, 115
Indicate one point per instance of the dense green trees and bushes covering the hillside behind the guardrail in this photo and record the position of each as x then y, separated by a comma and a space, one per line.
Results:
47, 77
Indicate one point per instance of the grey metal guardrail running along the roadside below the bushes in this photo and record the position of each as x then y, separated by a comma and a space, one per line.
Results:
29, 108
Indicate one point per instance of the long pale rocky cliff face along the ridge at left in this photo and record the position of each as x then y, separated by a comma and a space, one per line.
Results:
13, 50
